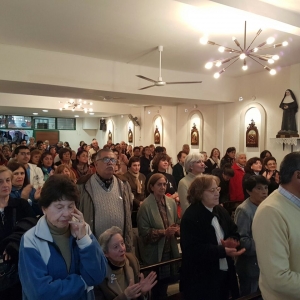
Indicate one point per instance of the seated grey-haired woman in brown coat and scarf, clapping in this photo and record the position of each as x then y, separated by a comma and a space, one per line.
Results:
123, 279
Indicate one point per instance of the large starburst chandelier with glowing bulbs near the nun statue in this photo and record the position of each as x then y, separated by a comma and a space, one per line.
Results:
244, 53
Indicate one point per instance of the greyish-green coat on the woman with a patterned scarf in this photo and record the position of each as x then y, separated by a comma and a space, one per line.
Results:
148, 218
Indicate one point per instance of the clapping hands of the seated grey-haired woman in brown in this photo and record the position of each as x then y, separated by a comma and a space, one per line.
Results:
142, 288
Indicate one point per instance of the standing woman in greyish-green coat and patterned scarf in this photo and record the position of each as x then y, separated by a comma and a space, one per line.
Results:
158, 227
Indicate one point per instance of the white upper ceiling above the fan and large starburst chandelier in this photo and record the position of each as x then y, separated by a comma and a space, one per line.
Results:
129, 31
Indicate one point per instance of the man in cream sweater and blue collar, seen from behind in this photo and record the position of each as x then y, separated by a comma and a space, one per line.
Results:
276, 234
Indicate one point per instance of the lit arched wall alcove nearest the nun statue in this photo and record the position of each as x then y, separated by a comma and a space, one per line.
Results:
257, 113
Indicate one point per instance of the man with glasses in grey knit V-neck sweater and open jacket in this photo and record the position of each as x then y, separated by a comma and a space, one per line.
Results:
105, 200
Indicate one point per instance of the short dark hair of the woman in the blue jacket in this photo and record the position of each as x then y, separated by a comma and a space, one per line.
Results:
57, 188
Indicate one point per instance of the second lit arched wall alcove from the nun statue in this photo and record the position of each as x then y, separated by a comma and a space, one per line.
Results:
195, 118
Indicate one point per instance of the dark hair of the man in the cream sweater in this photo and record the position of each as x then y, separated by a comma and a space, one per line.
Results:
290, 164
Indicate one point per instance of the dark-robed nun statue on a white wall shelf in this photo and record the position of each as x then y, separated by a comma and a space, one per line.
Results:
289, 106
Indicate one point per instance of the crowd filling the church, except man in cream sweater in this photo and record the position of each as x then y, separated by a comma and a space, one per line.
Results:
138, 205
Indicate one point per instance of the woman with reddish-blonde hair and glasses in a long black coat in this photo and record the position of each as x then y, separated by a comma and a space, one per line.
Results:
209, 239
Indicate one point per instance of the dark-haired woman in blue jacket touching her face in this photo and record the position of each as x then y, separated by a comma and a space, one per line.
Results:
59, 257
